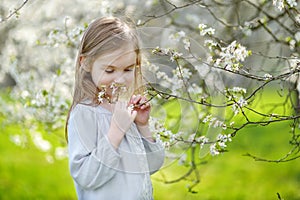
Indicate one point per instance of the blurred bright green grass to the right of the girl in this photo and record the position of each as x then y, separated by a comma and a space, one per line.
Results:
234, 176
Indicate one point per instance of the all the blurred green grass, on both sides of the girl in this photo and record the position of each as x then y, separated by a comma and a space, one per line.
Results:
25, 173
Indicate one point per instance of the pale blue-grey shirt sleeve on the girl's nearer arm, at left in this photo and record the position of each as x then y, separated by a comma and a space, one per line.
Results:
91, 160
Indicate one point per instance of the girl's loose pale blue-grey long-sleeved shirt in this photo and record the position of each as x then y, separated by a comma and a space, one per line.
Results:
101, 172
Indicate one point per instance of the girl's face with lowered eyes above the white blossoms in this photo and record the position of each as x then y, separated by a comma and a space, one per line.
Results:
115, 67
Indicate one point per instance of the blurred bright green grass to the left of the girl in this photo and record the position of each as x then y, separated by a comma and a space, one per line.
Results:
25, 173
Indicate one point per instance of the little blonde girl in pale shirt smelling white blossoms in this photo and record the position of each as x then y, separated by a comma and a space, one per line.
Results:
111, 149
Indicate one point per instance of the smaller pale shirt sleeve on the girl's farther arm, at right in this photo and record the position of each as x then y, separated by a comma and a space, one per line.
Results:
155, 154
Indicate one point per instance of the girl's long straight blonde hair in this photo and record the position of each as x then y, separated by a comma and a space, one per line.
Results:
103, 35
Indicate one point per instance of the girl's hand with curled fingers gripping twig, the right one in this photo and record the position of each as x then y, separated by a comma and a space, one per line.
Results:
142, 107
